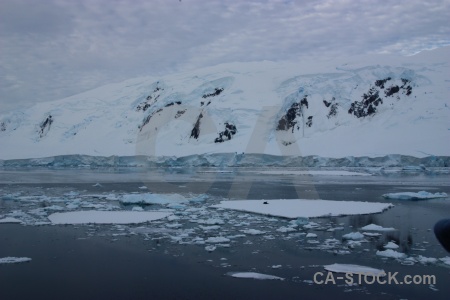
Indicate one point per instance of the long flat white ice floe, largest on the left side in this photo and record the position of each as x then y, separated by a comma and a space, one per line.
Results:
107, 217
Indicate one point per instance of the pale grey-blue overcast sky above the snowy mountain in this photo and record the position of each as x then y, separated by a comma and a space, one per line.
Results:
51, 49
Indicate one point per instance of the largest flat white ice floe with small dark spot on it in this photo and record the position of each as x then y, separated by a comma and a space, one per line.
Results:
304, 208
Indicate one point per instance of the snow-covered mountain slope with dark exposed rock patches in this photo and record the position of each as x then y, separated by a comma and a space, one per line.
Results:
364, 106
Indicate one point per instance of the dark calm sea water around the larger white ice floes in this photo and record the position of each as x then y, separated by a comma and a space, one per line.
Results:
155, 261
